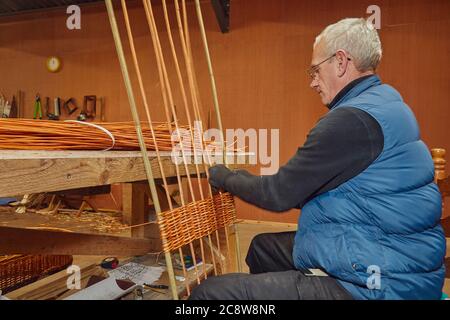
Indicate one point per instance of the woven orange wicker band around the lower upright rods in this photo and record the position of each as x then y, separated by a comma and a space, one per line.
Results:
196, 220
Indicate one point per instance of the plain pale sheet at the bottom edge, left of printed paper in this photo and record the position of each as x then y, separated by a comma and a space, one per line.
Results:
104, 290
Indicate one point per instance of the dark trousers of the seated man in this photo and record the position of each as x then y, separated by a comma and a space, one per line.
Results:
272, 276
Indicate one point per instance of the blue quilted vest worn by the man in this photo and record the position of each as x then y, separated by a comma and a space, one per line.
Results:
379, 233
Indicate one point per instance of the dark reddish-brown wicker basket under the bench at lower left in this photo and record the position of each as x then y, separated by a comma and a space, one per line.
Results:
19, 270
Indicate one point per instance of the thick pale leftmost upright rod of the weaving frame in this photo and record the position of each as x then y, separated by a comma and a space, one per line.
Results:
148, 168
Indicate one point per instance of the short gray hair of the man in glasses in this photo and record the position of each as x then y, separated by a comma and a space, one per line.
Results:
357, 37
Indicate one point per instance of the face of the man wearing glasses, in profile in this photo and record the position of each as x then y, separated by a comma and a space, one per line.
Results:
325, 77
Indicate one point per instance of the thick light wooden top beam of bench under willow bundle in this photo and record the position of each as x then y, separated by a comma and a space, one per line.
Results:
26, 172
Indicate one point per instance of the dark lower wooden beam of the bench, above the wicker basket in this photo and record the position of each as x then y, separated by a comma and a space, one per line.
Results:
32, 241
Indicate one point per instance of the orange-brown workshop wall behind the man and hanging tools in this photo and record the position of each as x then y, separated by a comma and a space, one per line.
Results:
260, 66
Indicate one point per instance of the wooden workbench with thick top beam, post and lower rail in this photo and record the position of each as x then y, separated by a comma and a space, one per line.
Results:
28, 172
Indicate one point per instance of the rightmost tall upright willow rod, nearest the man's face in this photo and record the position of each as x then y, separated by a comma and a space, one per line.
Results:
217, 109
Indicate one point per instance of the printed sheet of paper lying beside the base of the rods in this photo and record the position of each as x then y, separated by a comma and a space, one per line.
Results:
138, 273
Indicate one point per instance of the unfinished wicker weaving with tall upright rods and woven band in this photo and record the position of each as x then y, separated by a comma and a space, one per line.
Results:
200, 216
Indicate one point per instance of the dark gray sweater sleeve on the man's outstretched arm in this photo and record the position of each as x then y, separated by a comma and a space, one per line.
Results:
342, 145
